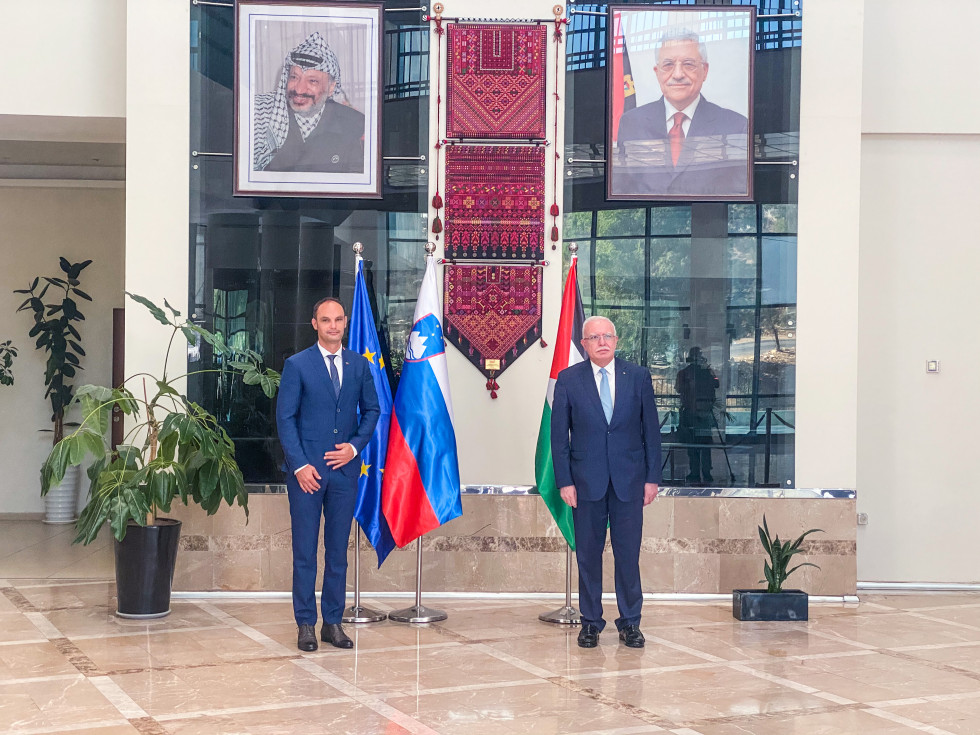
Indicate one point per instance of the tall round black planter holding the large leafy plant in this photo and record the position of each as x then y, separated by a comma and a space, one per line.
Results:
145, 561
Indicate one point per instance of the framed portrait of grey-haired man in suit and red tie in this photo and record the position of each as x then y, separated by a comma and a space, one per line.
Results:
679, 112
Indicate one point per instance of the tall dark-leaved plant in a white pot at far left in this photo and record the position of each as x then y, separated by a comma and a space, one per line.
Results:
54, 328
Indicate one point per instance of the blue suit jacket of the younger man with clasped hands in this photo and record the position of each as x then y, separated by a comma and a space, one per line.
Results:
311, 420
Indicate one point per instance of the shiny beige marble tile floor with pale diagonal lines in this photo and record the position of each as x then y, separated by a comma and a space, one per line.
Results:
895, 663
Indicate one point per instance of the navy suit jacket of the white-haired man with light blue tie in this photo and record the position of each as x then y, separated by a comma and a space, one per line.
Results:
590, 453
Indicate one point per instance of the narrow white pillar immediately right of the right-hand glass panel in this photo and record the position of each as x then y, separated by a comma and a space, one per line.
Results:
827, 277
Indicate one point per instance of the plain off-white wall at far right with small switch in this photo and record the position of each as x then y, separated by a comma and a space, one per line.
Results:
918, 266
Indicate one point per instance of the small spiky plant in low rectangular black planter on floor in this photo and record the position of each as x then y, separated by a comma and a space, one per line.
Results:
775, 603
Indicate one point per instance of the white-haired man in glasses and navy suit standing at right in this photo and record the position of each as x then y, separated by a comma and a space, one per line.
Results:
605, 444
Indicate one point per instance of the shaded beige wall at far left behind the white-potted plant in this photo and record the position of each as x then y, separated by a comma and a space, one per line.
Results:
37, 225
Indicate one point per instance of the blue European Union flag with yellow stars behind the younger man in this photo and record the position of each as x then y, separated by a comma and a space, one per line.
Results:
364, 339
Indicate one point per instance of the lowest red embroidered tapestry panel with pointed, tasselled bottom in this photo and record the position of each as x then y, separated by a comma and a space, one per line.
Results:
492, 312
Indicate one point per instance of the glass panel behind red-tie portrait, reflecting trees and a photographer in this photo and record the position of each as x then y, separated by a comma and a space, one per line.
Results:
703, 294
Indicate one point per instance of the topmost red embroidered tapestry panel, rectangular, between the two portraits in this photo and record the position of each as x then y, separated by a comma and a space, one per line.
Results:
496, 81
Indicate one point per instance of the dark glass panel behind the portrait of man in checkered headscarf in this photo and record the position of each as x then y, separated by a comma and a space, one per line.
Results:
259, 264
